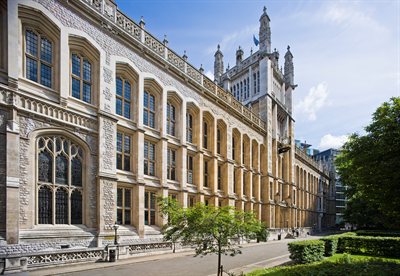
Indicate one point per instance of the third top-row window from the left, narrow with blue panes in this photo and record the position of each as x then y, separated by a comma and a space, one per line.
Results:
123, 97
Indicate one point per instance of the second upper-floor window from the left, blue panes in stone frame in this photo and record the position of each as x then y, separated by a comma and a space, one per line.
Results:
81, 78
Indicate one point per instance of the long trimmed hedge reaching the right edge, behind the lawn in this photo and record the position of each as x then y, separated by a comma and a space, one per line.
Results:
373, 246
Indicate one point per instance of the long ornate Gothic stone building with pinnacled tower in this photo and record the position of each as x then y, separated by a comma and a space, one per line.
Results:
98, 117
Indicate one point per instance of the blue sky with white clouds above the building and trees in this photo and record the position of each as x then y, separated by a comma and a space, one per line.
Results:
346, 53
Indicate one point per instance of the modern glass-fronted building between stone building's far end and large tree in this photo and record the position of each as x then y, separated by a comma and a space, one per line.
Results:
327, 159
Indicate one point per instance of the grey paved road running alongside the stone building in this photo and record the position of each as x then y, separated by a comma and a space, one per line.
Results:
194, 266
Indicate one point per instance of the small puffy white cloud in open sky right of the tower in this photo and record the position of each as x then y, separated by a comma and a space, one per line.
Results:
313, 101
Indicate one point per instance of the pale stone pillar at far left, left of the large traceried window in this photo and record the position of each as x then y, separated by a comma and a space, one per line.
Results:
12, 179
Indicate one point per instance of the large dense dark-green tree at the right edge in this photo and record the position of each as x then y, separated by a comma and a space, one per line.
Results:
369, 165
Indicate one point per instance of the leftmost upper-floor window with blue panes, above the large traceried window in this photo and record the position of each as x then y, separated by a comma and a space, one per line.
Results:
38, 58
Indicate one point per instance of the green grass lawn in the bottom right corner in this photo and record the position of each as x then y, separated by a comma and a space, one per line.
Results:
339, 264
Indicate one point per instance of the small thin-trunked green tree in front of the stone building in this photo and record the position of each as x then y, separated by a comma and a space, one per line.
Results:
209, 229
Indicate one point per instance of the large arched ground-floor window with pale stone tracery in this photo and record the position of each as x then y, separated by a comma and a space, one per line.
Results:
59, 181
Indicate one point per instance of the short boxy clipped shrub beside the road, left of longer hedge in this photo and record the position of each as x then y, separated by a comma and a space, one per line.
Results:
307, 251
